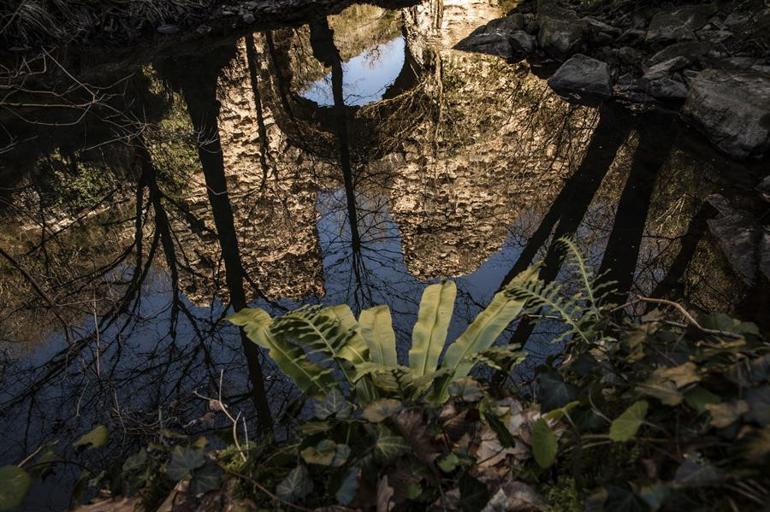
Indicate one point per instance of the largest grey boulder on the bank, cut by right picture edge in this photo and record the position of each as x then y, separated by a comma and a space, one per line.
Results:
733, 109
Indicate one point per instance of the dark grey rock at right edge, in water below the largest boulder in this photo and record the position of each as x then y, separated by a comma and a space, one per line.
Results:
744, 242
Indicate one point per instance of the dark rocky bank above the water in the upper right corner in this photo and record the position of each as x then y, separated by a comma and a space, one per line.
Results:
709, 61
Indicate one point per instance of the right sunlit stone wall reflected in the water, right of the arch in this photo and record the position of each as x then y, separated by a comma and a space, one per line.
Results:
498, 144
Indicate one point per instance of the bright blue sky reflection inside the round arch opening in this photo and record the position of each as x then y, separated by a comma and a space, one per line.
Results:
365, 76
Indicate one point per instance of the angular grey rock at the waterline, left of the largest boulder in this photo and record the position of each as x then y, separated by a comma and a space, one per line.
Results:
584, 76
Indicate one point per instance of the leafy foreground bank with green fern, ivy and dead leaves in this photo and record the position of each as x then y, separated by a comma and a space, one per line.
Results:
640, 415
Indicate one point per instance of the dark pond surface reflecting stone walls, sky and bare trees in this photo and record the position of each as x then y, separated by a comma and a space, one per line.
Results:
353, 159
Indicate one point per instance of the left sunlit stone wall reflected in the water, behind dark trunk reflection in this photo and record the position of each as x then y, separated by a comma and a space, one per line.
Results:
272, 190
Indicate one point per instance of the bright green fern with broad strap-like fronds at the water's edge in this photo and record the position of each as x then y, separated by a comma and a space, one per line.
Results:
321, 348
